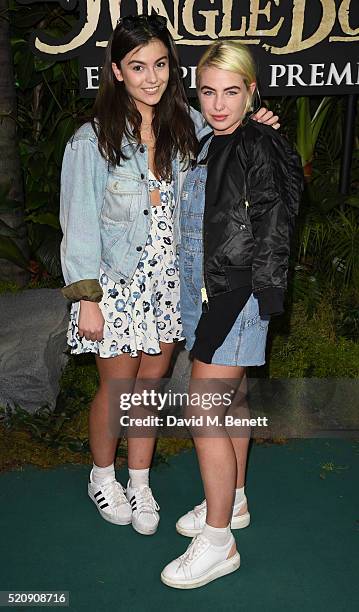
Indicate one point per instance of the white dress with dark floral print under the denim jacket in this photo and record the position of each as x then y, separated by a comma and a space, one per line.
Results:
147, 311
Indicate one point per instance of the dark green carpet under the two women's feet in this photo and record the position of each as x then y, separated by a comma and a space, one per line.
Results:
300, 552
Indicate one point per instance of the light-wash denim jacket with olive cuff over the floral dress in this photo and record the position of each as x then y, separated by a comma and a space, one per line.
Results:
105, 211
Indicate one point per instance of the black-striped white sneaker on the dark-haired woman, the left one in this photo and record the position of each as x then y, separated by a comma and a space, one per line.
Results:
111, 501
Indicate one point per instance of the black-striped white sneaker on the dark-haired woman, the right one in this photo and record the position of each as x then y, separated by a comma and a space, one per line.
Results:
145, 517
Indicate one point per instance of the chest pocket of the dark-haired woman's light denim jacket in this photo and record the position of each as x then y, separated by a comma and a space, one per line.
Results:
122, 199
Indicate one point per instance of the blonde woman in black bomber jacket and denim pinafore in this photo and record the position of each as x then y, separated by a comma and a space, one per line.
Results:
237, 214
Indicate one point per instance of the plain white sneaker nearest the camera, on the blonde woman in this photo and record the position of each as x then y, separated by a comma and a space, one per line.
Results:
201, 563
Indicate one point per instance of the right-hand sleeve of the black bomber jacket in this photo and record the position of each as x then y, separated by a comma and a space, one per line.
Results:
272, 223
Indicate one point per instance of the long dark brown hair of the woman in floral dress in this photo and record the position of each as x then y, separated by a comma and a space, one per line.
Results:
115, 113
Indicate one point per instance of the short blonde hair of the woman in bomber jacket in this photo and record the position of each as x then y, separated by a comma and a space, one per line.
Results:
233, 56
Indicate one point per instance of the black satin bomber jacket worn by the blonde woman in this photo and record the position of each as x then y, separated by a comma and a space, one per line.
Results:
253, 191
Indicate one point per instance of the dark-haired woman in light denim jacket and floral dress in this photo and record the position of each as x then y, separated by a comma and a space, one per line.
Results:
120, 187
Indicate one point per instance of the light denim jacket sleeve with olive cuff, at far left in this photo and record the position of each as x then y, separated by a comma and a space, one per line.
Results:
83, 182
